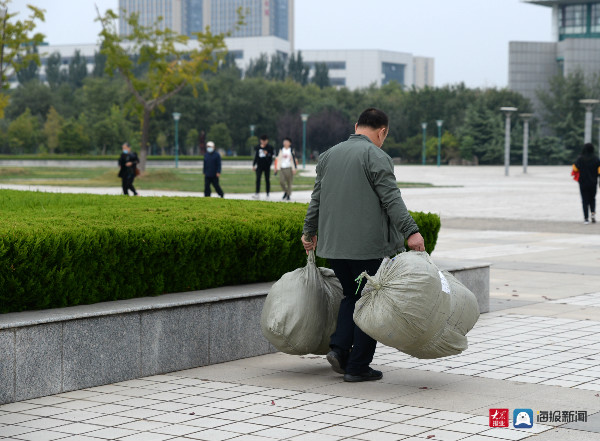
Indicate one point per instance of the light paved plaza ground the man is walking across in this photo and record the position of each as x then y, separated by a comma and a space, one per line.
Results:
538, 348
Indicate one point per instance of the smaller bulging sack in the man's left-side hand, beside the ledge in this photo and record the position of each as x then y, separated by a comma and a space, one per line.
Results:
300, 311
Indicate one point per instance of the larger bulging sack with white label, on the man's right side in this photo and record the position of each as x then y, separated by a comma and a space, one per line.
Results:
411, 305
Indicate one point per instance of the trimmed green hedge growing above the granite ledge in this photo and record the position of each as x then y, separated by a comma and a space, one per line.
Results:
61, 250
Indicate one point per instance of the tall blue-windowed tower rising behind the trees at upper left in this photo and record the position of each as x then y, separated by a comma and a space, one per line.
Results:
263, 18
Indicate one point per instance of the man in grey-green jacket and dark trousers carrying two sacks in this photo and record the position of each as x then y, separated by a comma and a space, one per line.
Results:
357, 175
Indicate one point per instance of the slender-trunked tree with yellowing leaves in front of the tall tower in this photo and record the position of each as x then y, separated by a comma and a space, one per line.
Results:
171, 64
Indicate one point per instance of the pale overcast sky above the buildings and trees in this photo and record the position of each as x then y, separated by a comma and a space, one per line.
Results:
467, 38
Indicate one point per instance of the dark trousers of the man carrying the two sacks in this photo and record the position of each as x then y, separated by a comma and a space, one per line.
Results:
347, 335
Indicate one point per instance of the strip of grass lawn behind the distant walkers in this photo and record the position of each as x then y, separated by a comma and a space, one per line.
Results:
233, 180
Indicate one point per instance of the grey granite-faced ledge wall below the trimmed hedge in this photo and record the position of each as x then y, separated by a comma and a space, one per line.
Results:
59, 350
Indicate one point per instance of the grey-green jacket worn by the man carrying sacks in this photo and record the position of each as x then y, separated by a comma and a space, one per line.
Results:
356, 206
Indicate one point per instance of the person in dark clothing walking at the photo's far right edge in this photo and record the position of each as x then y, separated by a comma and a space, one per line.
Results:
588, 167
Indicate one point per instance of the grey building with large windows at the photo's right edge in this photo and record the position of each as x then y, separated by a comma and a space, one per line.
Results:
575, 47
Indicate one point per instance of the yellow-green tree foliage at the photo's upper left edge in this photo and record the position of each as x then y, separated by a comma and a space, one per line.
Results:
15, 38
